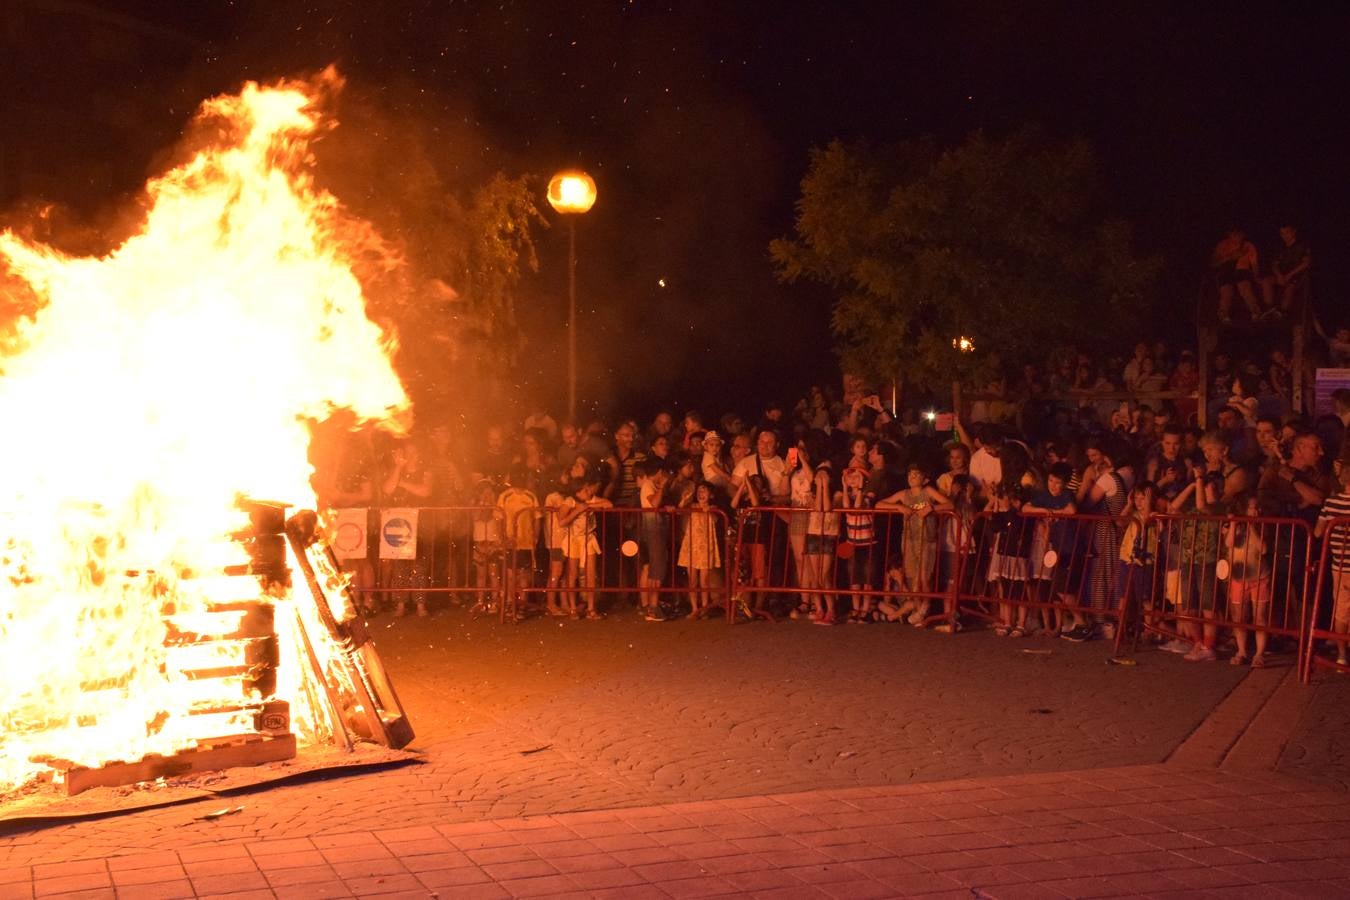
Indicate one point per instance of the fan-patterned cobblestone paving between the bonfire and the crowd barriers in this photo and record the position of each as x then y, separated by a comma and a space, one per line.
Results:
637, 714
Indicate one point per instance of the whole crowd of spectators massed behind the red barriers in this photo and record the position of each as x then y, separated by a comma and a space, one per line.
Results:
541, 492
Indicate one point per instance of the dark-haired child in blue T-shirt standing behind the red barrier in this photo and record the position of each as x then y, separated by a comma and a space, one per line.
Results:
1055, 536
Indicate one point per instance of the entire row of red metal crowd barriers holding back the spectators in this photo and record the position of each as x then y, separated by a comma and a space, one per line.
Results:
1190, 577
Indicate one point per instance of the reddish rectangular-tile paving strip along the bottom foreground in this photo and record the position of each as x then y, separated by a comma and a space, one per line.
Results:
1152, 831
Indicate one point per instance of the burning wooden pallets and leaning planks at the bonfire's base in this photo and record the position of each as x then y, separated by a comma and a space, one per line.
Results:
238, 639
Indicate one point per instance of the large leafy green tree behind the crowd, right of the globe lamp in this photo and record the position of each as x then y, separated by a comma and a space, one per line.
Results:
1002, 241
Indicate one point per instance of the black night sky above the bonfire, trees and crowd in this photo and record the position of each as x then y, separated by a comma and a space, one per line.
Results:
696, 119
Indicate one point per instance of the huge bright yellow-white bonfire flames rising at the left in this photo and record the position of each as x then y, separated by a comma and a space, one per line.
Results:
145, 393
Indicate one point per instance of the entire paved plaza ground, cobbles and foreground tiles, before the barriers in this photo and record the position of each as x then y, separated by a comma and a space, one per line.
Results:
693, 759
